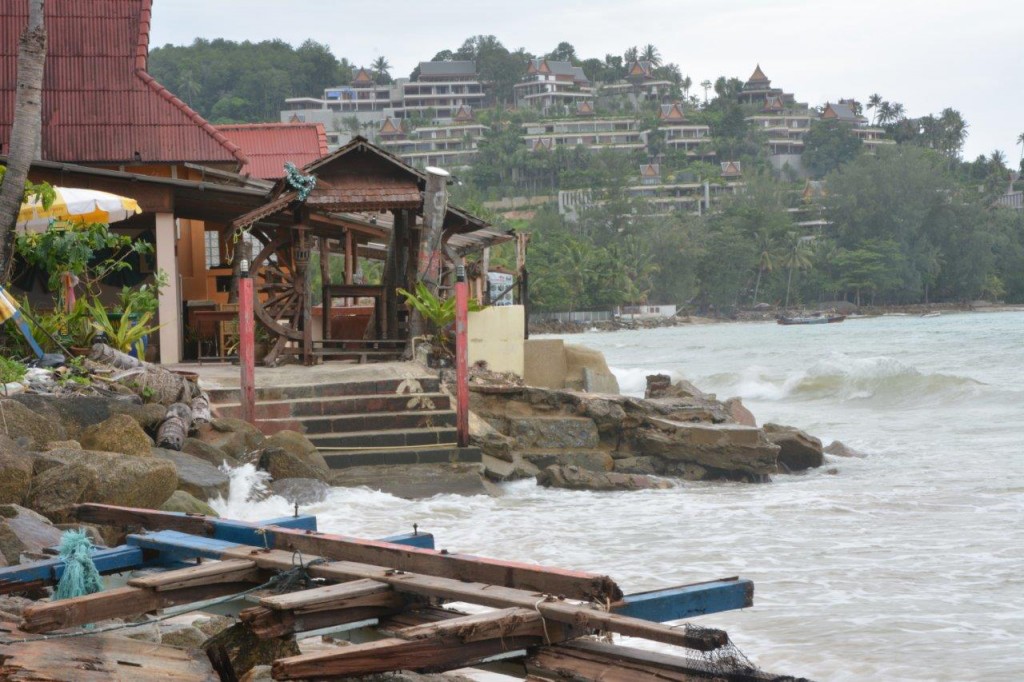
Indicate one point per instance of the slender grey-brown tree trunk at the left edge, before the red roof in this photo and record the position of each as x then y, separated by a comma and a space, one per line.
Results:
25, 135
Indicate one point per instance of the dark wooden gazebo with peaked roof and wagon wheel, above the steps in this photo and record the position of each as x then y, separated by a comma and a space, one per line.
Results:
365, 202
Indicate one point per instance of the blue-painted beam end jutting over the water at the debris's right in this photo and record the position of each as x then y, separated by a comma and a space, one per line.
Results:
688, 602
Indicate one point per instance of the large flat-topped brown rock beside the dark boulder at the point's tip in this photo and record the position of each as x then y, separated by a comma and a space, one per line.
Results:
723, 451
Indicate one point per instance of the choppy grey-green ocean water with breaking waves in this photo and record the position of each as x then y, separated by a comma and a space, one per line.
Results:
905, 565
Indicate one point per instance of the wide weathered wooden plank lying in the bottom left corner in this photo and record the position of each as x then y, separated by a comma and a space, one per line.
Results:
100, 659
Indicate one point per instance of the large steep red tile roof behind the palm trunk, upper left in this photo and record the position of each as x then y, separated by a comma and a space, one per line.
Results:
100, 105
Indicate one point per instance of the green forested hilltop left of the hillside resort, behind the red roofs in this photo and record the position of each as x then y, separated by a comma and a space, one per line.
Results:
230, 82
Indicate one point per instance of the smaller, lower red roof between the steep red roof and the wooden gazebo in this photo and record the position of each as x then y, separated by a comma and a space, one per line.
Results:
269, 146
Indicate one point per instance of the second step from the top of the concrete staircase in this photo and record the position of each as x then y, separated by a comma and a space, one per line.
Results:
337, 406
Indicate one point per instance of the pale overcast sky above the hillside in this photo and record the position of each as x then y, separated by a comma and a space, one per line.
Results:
927, 55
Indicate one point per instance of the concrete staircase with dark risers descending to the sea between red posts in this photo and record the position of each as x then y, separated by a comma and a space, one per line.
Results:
361, 423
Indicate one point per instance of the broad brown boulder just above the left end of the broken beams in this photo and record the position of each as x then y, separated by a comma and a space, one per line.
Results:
102, 478
